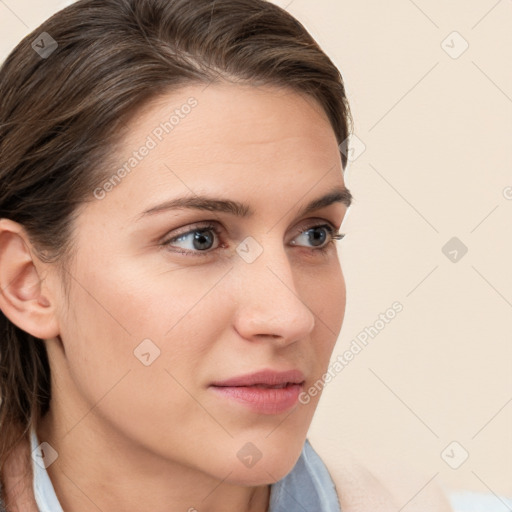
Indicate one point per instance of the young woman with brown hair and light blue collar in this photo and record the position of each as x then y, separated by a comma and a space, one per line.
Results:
171, 188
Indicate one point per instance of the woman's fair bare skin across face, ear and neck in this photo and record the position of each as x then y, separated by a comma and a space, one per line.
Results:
170, 441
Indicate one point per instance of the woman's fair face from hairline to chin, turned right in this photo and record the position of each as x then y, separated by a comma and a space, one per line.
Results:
159, 310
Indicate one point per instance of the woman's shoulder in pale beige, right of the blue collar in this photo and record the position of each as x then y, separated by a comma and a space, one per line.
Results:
387, 489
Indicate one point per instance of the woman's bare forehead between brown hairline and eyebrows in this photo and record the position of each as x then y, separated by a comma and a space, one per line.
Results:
225, 139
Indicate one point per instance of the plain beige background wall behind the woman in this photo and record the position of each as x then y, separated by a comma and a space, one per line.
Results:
437, 160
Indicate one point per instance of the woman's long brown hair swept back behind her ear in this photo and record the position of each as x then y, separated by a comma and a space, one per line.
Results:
64, 104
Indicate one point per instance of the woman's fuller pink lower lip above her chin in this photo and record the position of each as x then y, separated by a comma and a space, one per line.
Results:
263, 400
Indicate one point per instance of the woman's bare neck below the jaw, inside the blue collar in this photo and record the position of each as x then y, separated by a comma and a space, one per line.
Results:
96, 467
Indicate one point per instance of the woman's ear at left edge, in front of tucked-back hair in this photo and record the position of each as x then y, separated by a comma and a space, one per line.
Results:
24, 298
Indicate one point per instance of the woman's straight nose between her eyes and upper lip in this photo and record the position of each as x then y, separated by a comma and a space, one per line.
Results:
269, 304
